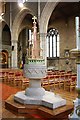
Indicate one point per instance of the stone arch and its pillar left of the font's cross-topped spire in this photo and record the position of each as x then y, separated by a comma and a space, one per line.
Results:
15, 33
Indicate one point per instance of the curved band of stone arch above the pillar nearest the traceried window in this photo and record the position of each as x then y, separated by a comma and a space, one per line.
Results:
46, 14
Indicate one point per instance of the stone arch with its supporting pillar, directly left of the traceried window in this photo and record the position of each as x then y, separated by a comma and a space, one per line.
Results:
45, 16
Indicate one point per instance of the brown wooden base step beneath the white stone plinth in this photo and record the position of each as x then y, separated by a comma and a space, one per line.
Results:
17, 108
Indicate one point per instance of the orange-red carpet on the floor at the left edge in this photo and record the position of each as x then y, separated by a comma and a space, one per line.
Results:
6, 91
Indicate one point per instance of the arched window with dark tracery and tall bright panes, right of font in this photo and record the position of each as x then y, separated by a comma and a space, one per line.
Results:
53, 43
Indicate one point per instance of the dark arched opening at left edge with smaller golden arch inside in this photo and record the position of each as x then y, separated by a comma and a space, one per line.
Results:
5, 44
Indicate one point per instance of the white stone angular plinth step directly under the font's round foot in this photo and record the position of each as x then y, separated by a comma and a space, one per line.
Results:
49, 99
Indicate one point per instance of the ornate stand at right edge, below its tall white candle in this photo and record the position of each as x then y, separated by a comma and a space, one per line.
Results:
76, 113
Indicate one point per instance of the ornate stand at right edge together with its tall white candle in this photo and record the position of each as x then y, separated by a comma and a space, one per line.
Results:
76, 53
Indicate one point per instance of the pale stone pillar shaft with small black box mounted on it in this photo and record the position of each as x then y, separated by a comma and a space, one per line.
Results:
14, 54
